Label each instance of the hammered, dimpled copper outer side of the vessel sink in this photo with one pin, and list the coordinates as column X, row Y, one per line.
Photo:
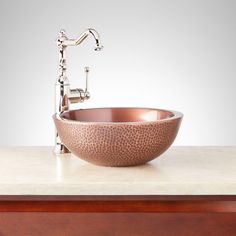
column 117, row 144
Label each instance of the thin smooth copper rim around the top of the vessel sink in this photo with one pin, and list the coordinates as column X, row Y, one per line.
column 176, row 115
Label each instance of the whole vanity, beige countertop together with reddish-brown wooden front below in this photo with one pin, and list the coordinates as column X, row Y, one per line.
column 186, row 191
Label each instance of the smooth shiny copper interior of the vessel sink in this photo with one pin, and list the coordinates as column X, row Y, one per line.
column 116, row 115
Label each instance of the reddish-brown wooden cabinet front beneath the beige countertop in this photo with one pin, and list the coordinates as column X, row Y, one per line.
column 118, row 215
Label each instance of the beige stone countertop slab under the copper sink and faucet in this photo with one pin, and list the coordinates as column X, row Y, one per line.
column 179, row 171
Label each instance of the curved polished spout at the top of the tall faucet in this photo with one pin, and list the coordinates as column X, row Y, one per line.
column 82, row 37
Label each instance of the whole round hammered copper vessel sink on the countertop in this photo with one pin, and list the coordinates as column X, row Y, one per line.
column 118, row 136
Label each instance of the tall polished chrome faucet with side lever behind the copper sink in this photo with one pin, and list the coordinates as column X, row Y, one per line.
column 64, row 95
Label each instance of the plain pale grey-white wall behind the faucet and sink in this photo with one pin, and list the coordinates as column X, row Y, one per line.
column 178, row 55
